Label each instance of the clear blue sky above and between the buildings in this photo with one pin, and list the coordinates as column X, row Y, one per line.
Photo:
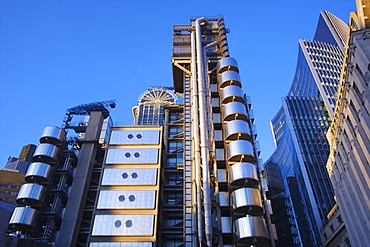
column 58, row 54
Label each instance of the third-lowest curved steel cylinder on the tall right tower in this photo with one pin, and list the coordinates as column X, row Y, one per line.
column 243, row 175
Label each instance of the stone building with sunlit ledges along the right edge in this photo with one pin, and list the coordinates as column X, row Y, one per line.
column 348, row 163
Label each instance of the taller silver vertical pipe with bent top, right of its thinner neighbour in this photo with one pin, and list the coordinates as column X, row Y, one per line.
column 203, row 131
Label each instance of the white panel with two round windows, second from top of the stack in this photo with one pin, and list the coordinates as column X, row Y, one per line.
column 127, row 156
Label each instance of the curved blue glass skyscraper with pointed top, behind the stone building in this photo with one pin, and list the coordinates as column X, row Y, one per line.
column 299, row 186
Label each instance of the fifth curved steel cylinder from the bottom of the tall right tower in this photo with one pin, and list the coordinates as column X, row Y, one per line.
column 237, row 130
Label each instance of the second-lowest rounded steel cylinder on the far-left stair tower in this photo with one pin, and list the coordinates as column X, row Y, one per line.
column 31, row 194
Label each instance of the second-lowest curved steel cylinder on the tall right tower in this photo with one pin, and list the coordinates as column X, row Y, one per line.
column 247, row 201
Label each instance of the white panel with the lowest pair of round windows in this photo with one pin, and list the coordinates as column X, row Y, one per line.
column 105, row 225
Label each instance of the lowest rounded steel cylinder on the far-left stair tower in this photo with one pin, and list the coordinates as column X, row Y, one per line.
column 23, row 219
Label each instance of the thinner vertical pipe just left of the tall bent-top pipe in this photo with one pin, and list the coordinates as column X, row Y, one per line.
column 196, row 142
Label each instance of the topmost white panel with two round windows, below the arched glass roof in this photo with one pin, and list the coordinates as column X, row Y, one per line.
column 134, row 137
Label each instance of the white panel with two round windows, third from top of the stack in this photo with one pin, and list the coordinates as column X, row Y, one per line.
column 114, row 176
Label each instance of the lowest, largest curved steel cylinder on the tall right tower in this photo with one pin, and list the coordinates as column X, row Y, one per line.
column 251, row 230
